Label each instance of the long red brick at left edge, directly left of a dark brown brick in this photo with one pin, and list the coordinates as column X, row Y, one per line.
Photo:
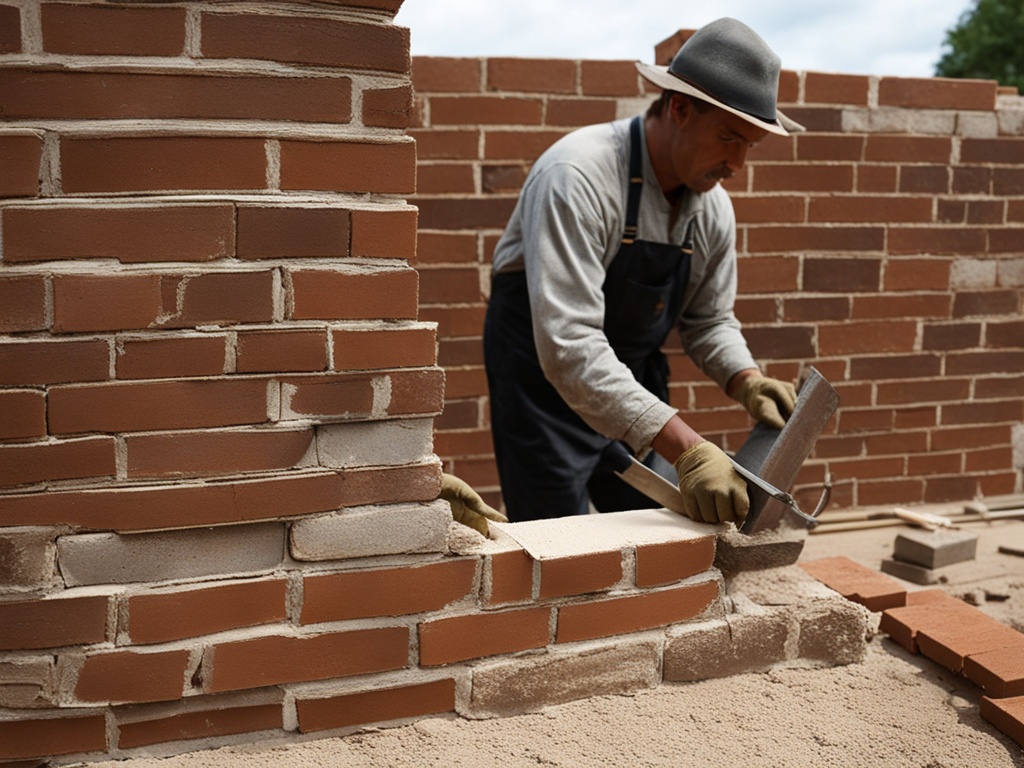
column 130, row 235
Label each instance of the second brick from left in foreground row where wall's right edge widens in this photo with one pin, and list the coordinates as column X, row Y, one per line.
column 172, row 358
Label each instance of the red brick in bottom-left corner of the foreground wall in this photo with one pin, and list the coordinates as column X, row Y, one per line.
column 32, row 738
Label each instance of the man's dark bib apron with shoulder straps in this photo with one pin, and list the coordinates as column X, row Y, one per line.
column 550, row 462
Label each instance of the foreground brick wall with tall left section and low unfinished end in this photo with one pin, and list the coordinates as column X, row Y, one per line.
column 218, row 481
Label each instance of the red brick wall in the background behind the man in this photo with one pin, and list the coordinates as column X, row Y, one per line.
column 885, row 246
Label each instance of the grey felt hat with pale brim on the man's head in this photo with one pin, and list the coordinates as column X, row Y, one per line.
column 727, row 64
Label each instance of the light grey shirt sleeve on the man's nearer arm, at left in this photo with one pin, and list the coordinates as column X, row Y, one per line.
column 568, row 228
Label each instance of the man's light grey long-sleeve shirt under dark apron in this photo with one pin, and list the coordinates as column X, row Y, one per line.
column 565, row 232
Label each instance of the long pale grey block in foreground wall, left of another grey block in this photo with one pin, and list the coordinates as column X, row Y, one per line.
column 127, row 559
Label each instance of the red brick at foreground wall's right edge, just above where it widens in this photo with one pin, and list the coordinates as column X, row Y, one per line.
column 389, row 294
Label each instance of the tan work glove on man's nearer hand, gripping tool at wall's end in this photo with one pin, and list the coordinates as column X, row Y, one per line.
column 713, row 491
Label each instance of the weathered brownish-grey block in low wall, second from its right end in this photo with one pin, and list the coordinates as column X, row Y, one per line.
column 722, row 649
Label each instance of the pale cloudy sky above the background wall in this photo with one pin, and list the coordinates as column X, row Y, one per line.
column 859, row 37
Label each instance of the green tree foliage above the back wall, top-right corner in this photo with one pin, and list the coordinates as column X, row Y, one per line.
column 988, row 44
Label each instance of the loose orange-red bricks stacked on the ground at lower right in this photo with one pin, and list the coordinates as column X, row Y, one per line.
column 945, row 629
